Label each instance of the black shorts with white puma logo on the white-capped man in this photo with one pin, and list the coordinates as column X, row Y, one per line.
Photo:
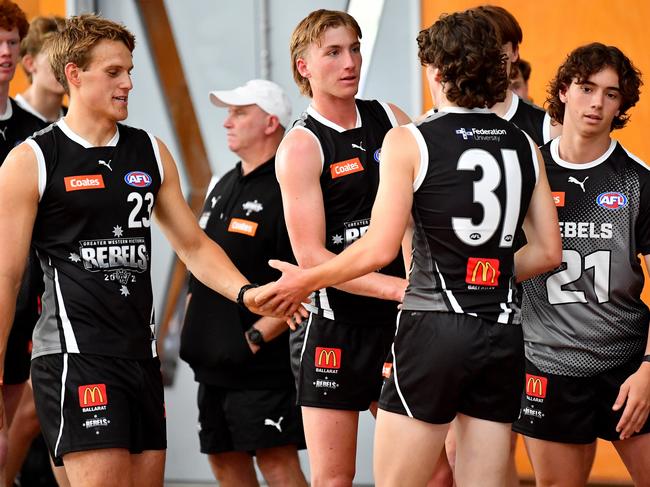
column 247, row 420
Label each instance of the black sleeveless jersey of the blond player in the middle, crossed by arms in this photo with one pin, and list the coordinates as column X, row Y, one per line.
column 349, row 182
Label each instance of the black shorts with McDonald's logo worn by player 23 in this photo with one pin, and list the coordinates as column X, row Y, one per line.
column 89, row 402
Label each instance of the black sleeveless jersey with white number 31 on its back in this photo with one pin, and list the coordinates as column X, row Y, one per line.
column 476, row 177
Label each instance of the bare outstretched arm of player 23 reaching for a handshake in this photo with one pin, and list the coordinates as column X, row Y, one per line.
column 203, row 257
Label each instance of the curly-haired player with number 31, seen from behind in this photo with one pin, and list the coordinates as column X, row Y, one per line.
column 470, row 180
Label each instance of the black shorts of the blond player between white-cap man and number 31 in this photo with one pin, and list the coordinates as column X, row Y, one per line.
column 337, row 365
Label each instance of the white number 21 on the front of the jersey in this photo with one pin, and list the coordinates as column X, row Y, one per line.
column 599, row 261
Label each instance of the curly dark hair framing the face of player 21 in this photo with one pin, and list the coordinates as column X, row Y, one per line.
column 590, row 59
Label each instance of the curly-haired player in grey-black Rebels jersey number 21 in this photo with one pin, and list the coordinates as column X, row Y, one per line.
column 585, row 326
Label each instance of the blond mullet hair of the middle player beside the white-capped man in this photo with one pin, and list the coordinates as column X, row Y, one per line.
column 310, row 30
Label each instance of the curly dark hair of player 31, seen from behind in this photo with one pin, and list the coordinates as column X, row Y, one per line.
column 466, row 49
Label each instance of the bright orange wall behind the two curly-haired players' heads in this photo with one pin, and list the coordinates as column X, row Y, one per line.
column 553, row 28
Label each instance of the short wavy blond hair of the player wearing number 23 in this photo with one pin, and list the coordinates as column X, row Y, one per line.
column 75, row 41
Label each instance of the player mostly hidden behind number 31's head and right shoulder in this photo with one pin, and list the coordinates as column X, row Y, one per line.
column 528, row 117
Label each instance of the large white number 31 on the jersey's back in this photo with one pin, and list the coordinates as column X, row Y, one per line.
column 483, row 190
